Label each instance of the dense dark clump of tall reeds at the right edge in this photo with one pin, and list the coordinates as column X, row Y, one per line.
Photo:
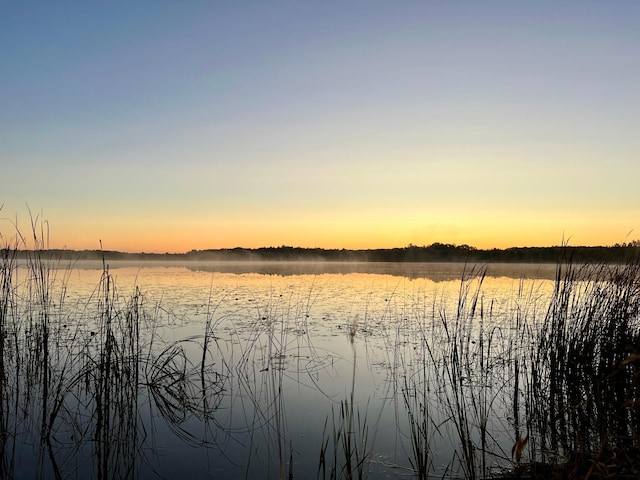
column 583, row 389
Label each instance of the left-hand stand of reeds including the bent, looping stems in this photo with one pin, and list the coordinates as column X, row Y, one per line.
column 74, row 378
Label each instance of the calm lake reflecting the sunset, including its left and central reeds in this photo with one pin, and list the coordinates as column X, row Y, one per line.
column 265, row 370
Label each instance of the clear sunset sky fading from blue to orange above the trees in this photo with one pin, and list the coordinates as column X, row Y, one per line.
column 163, row 126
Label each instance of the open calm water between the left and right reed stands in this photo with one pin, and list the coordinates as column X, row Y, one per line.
column 287, row 346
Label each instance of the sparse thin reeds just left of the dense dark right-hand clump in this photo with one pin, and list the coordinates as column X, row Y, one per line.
column 475, row 376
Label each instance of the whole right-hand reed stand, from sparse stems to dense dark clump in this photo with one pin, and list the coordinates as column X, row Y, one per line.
column 571, row 379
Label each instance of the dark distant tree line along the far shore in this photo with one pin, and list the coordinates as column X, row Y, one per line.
column 436, row 252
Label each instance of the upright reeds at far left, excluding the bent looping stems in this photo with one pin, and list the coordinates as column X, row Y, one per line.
column 73, row 384
